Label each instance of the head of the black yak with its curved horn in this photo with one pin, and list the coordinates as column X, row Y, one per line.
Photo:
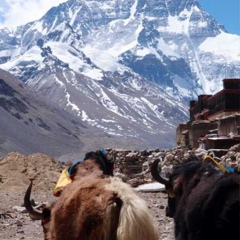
column 176, row 182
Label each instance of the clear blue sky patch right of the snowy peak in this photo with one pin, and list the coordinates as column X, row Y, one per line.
column 227, row 12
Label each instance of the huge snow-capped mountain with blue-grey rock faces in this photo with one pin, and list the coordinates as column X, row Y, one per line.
column 127, row 67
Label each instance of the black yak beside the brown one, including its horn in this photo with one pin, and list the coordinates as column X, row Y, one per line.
column 202, row 200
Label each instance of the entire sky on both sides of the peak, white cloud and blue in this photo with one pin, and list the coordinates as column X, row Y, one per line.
column 18, row 12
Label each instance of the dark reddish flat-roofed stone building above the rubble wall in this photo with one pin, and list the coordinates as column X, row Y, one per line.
column 214, row 119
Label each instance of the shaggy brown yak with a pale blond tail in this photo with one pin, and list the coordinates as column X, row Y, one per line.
column 95, row 206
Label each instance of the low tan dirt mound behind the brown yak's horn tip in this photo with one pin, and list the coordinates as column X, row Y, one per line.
column 16, row 170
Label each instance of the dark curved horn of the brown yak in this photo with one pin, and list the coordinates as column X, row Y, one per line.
column 34, row 214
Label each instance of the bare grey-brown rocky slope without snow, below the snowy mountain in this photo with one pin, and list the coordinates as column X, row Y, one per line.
column 30, row 124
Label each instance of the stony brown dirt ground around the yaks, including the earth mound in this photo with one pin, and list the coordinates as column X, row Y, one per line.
column 15, row 172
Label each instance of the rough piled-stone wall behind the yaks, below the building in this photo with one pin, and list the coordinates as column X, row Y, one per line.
column 134, row 166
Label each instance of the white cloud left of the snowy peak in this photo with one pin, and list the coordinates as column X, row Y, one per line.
column 18, row 12
